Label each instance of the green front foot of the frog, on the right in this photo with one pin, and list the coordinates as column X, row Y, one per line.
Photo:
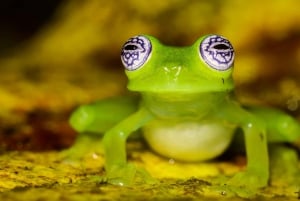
column 249, row 179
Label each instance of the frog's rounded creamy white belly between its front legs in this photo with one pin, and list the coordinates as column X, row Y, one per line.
column 188, row 141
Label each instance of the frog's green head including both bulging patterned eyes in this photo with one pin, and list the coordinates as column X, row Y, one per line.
column 205, row 66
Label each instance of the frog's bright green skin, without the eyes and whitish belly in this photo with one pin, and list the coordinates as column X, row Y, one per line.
column 178, row 87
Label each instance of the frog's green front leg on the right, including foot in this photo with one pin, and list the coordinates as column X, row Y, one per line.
column 256, row 174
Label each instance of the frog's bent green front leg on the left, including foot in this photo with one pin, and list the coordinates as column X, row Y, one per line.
column 118, row 171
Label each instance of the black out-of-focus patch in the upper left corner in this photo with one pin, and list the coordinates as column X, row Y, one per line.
column 20, row 20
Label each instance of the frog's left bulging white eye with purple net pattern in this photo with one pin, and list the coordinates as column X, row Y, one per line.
column 135, row 52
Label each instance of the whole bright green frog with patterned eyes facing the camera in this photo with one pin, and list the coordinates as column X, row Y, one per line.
column 186, row 110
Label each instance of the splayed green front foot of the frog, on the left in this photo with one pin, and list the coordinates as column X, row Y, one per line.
column 127, row 175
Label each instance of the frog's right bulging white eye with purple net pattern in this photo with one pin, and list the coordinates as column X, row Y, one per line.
column 217, row 52
